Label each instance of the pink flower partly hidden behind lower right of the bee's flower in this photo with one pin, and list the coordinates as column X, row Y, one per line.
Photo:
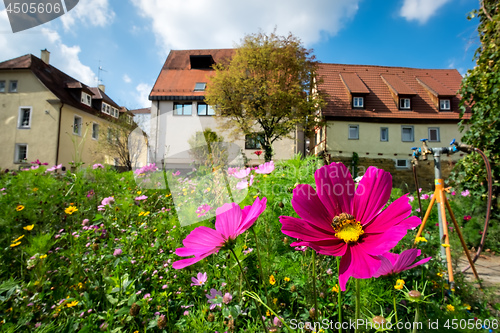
column 392, row 263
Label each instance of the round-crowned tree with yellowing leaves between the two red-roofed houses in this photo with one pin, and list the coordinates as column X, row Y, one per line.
column 268, row 86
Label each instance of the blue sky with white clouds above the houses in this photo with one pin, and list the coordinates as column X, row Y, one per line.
column 130, row 39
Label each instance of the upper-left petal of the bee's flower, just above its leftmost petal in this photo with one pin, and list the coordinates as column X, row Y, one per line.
column 307, row 205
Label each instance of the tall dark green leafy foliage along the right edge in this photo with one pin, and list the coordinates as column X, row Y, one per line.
column 480, row 93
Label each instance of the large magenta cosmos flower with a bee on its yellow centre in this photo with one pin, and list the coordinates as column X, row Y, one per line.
column 340, row 220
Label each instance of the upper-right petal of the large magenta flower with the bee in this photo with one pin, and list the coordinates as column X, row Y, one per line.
column 372, row 193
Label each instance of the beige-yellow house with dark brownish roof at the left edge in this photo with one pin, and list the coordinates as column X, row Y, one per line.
column 49, row 116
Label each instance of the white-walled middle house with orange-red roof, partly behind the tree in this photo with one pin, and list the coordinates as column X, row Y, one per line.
column 178, row 109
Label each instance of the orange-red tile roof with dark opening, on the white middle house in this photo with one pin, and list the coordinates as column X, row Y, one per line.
column 177, row 79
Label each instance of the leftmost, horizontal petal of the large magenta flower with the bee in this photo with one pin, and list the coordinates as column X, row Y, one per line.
column 304, row 230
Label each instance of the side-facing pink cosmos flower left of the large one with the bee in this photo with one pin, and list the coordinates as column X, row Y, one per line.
column 230, row 222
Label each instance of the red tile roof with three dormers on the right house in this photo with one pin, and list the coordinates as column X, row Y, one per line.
column 379, row 103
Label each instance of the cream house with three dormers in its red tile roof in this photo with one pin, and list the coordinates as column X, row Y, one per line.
column 379, row 113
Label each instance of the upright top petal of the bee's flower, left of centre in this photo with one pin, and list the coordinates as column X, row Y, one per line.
column 335, row 188
